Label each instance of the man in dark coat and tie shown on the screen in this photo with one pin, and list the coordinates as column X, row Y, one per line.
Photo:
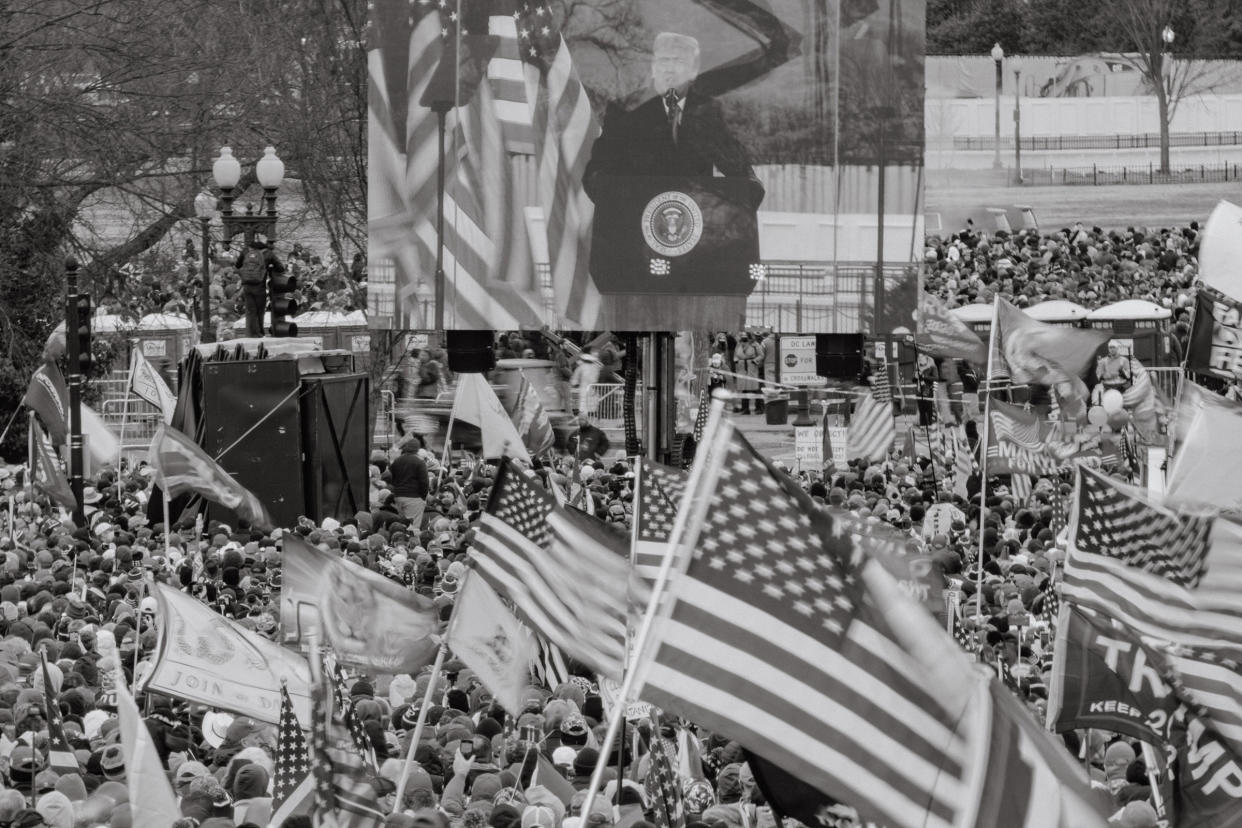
column 675, row 133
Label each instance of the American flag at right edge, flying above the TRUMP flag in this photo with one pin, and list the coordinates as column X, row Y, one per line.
column 1199, row 628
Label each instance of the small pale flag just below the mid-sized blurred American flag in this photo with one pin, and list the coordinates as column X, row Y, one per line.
column 486, row 637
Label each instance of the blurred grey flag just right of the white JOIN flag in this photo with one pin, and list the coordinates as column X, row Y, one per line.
column 369, row 621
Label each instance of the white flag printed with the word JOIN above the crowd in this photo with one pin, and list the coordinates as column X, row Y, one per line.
column 204, row 657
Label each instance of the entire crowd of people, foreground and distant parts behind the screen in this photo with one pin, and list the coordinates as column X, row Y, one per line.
column 78, row 594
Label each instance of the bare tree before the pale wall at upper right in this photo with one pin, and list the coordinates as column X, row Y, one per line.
column 1161, row 29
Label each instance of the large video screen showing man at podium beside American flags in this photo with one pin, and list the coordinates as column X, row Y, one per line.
column 645, row 164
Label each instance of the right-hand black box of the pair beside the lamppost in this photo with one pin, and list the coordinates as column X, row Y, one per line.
column 335, row 416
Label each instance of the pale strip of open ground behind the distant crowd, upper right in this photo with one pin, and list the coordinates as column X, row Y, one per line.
column 1106, row 207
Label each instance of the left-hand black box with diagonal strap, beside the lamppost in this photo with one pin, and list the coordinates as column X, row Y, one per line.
column 261, row 395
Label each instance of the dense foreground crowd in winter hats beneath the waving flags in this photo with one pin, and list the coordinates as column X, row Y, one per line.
column 76, row 594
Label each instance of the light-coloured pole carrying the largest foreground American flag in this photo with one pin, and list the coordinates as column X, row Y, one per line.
column 676, row 539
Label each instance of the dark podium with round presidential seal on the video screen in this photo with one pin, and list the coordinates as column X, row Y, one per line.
column 674, row 253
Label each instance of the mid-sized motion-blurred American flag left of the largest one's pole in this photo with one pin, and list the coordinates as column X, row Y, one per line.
column 567, row 575
